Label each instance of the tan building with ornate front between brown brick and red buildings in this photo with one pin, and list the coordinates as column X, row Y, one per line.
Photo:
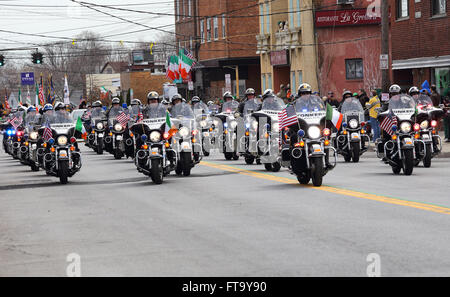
column 285, row 43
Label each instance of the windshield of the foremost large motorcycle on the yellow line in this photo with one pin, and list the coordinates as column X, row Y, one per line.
column 310, row 108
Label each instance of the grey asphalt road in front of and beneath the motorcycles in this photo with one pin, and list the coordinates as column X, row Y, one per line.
column 226, row 219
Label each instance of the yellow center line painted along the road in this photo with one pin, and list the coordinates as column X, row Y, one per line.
column 344, row 192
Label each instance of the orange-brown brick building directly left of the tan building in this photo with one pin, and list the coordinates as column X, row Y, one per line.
column 221, row 35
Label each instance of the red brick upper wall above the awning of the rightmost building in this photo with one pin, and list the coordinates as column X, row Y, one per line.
column 419, row 37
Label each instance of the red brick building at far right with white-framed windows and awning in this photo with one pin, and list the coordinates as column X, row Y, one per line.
column 420, row 46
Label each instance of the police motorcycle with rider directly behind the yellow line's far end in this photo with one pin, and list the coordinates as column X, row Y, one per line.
column 204, row 123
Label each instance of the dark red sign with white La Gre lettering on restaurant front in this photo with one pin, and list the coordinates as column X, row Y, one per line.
column 347, row 17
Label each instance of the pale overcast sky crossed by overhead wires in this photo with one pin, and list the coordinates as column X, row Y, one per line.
column 65, row 19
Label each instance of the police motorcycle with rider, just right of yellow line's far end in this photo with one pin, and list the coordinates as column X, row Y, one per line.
column 226, row 124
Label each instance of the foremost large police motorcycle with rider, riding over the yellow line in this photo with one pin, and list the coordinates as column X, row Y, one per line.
column 306, row 145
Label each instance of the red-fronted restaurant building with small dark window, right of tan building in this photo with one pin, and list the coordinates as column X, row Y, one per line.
column 348, row 46
